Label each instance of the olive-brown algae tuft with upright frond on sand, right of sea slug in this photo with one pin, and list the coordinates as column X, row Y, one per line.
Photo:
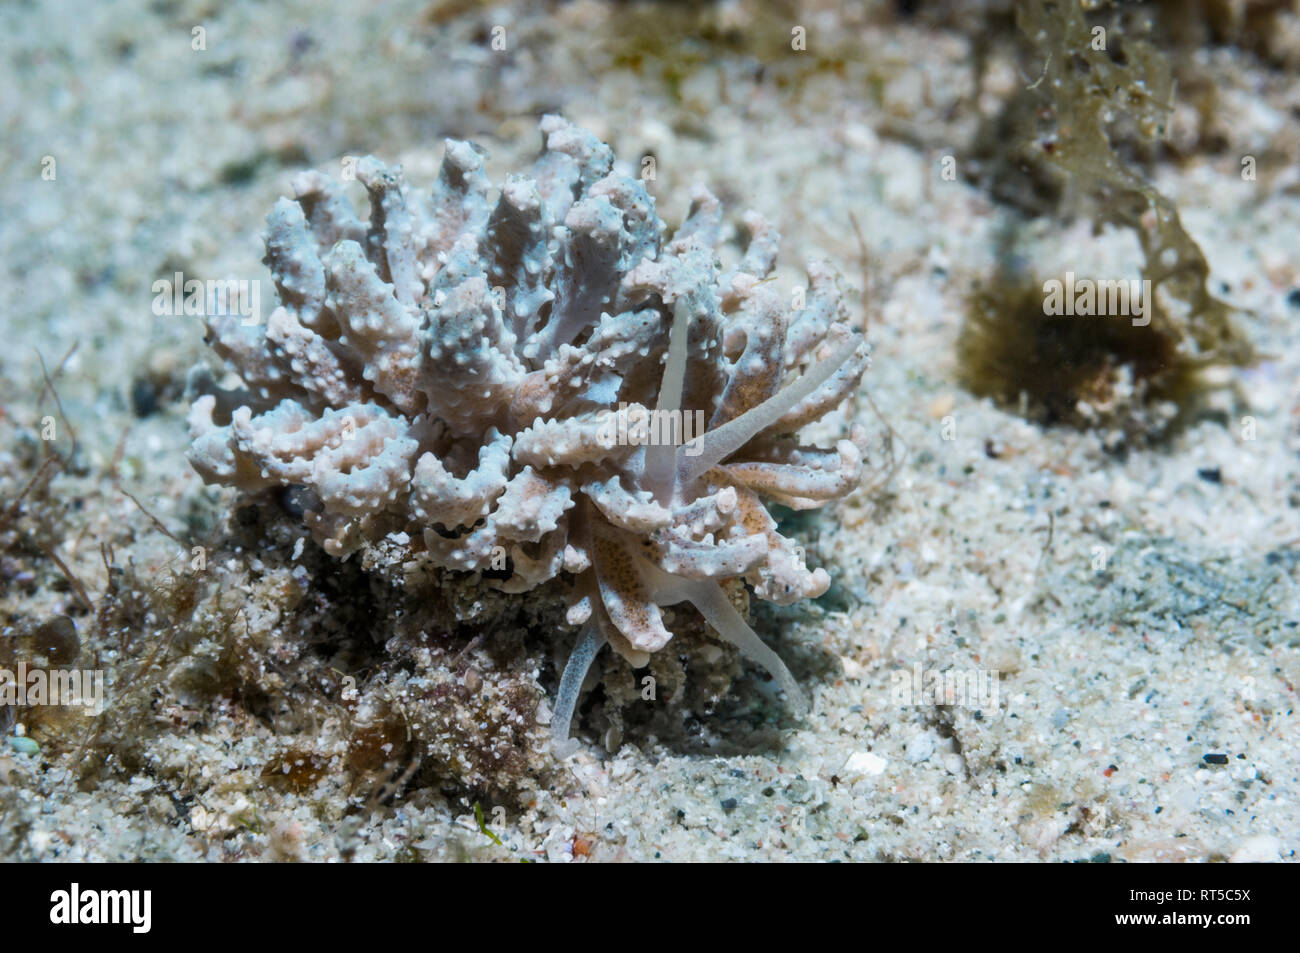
column 1072, row 142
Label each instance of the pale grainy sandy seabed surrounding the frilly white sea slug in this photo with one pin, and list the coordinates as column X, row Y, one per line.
column 1128, row 618
